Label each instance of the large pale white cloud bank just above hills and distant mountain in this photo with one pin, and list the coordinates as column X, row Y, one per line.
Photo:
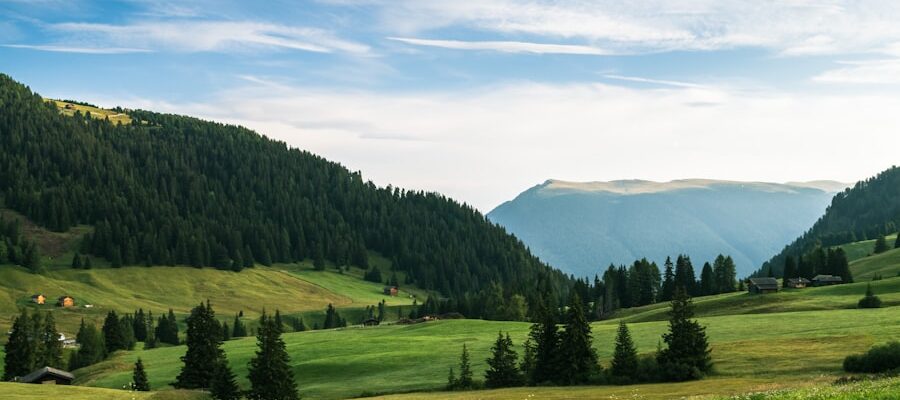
column 485, row 145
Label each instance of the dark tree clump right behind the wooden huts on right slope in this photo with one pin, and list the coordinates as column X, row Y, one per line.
column 820, row 261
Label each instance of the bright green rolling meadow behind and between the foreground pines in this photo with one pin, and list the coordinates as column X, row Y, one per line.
column 748, row 350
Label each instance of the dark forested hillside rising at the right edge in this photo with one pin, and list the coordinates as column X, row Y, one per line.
column 868, row 210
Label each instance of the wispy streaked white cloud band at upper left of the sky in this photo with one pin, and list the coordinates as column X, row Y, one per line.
column 199, row 36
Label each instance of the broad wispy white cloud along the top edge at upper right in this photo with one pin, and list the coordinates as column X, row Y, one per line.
column 801, row 27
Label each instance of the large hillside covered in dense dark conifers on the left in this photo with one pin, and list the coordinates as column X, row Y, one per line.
column 174, row 190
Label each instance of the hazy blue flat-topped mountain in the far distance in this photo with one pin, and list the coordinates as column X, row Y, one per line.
column 583, row 227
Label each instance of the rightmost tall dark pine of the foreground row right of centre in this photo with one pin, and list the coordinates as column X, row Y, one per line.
column 687, row 354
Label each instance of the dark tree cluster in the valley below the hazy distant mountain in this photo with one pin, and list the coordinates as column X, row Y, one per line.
column 641, row 284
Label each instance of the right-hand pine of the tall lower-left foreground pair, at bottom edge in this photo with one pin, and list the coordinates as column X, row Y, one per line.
column 270, row 375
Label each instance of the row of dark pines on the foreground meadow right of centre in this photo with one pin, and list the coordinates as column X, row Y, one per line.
column 566, row 357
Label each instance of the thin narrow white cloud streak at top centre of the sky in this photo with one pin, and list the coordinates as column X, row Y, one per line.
column 506, row 46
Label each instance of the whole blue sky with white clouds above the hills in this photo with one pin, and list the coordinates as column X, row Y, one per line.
column 481, row 100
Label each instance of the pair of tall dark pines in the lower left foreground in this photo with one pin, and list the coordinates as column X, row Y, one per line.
column 206, row 366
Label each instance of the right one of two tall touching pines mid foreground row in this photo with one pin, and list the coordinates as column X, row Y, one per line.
column 578, row 359
